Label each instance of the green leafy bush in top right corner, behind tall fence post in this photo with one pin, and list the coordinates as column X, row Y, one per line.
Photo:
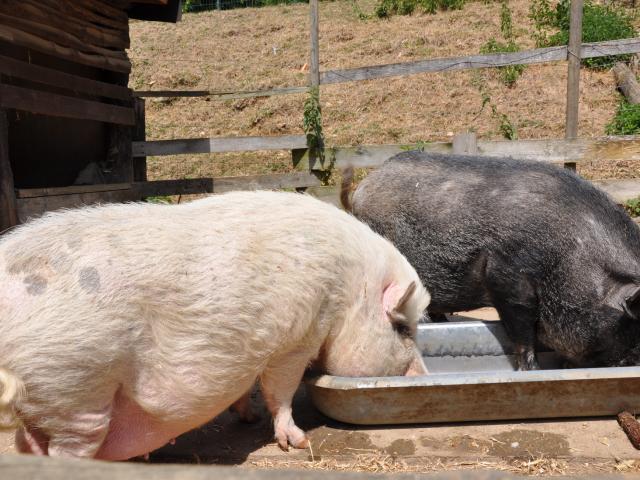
column 599, row 23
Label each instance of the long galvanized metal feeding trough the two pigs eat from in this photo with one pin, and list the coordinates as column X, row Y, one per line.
column 472, row 377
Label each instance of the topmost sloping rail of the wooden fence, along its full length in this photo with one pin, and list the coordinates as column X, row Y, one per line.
column 494, row 60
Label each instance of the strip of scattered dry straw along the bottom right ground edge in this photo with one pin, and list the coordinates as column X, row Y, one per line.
column 387, row 464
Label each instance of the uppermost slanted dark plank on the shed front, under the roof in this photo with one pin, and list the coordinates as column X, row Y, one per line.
column 87, row 31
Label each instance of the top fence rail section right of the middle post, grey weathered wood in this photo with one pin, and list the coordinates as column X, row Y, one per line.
column 540, row 55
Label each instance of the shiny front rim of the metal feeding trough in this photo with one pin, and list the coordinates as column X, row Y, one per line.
column 446, row 379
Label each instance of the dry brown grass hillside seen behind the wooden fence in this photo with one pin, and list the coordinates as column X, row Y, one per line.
column 267, row 47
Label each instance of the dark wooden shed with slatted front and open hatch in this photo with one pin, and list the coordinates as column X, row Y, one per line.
column 67, row 117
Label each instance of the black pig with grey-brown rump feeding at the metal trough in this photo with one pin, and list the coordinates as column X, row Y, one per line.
column 554, row 255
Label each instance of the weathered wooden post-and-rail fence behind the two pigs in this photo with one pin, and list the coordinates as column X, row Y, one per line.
column 307, row 168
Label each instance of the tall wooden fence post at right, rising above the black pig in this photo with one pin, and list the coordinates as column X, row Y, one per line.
column 573, row 77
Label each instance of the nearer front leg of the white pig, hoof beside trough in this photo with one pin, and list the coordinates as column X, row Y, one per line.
column 280, row 380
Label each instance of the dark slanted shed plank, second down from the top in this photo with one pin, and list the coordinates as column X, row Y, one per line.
column 28, row 40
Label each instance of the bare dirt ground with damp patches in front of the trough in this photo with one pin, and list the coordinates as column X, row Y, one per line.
column 575, row 447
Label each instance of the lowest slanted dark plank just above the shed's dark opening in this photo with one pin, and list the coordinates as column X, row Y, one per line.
column 62, row 106
